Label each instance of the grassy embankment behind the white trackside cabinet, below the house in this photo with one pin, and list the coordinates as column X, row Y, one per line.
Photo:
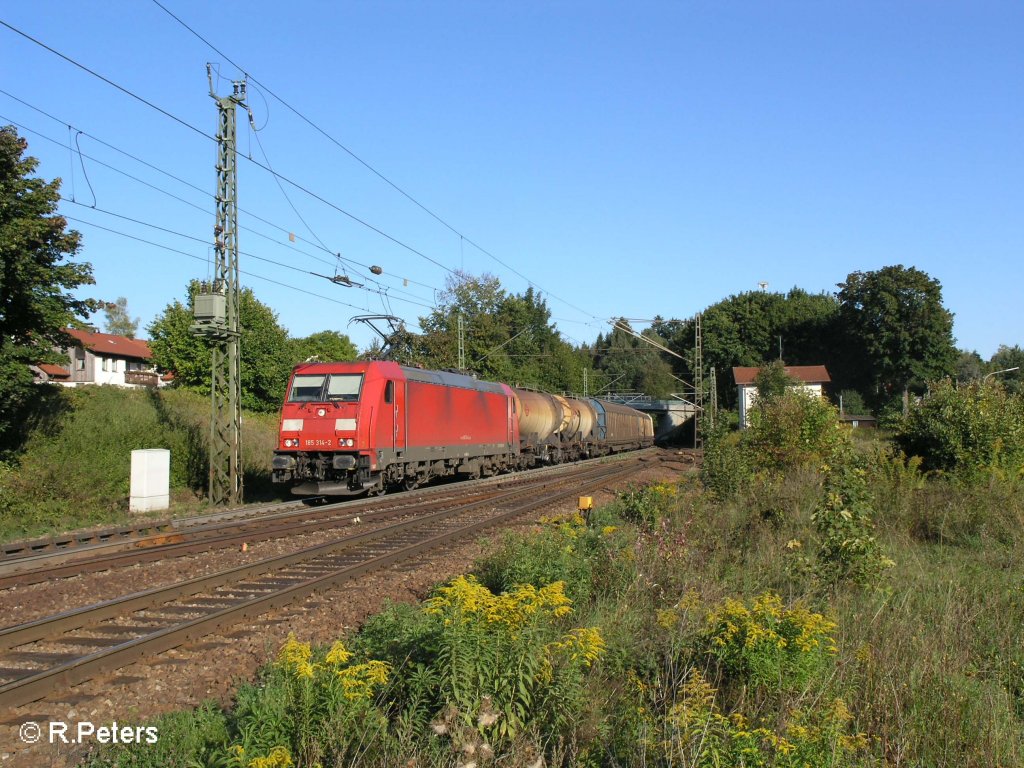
column 75, row 467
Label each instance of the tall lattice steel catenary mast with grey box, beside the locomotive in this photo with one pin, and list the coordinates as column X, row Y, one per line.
column 217, row 311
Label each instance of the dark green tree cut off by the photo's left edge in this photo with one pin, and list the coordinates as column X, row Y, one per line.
column 36, row 274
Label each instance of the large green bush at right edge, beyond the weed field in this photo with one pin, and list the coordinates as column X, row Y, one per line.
column 972, row 432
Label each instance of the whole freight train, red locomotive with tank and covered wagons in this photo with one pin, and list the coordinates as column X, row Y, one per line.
column 351, row 429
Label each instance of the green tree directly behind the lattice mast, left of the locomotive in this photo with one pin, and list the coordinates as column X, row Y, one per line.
column 267, row 359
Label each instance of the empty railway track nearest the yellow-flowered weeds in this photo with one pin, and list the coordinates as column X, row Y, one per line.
column 52, row 655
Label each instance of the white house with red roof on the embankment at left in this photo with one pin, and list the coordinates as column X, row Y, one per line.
column 103, row 359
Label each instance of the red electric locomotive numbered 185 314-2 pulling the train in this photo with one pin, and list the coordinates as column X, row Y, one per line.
column 356, row 428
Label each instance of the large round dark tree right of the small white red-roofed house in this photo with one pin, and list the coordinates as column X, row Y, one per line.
column 895, row 318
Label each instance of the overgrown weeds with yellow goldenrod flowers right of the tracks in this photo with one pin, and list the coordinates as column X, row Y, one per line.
column 823, row 604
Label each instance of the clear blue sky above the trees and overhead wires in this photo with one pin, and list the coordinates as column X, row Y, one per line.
column 628, row 159
